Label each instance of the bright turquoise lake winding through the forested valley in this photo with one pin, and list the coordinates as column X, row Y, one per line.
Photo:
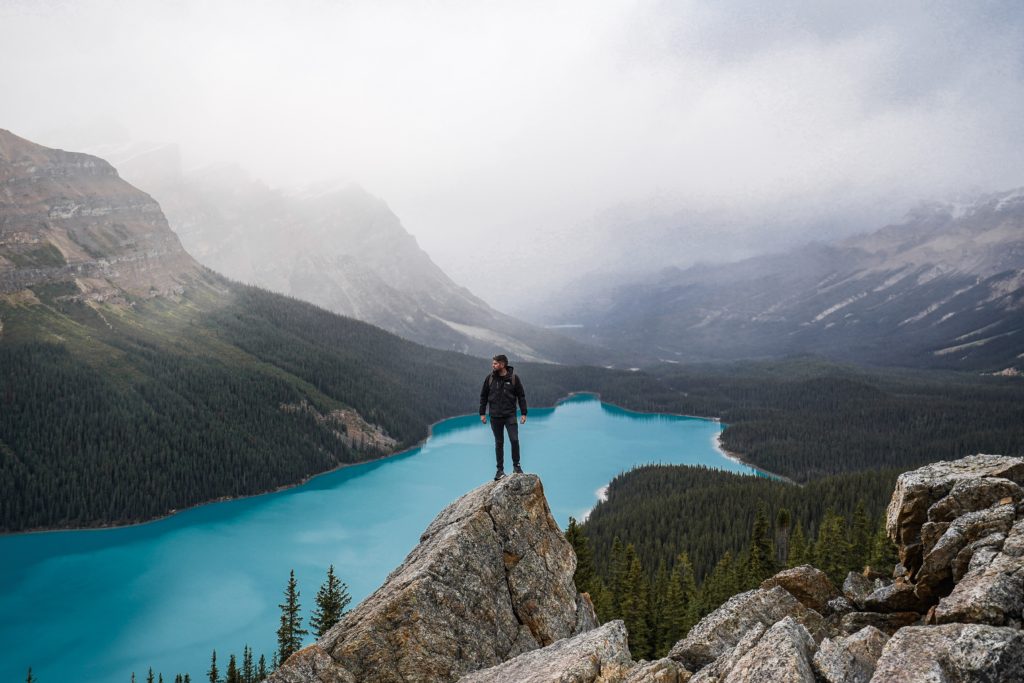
column 94, row 607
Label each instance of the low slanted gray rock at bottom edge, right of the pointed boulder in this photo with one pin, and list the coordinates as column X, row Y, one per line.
column 602, row 656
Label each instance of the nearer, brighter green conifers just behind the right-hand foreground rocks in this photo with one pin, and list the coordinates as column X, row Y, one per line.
column 661, row 603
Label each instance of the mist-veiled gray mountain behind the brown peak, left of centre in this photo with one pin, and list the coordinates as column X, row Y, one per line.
column 337, row 247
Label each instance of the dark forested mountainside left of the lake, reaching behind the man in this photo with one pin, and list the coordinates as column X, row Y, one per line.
column 116, row 414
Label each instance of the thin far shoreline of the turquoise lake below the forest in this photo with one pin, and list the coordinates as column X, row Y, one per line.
column 431, row 431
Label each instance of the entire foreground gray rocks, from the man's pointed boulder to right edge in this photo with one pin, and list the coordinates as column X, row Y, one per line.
column 488, row 596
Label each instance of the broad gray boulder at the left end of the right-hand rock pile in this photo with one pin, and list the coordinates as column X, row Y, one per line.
column 720, row 631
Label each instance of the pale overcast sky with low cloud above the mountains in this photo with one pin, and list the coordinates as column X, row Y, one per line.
column 547, row 129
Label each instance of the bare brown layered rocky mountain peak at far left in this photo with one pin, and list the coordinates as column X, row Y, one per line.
column 69, row 218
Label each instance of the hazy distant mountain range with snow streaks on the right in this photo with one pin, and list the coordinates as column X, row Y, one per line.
column 946, row 288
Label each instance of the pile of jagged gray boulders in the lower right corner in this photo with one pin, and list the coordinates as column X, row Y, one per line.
column 954, row 609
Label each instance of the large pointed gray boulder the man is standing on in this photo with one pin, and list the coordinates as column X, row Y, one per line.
column 491, row 579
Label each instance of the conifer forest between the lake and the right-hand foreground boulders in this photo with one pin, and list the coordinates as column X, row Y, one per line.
column 673, row 543
